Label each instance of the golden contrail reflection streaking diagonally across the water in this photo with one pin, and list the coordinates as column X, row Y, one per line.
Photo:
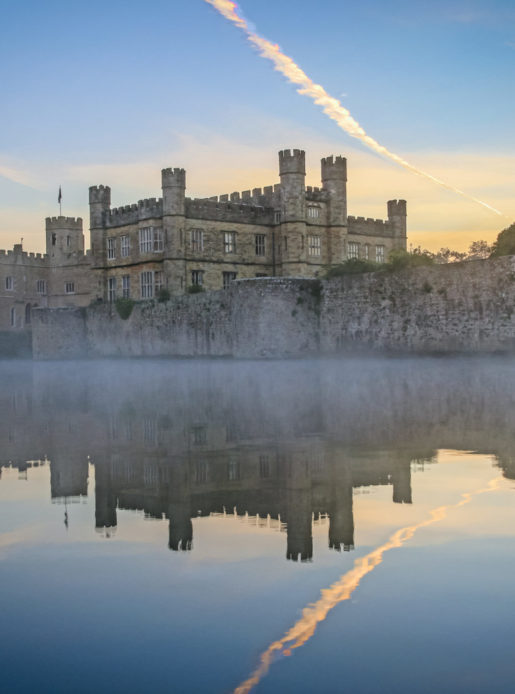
column 342, row 590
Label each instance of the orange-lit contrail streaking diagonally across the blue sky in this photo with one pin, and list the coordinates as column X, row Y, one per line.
column 331, row 106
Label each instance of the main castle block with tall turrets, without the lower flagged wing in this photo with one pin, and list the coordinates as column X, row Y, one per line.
column 287, row 229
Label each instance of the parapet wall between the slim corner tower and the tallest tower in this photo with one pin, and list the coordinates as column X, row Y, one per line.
column 228, row 211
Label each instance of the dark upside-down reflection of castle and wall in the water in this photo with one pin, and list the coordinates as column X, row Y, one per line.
column 285, row 442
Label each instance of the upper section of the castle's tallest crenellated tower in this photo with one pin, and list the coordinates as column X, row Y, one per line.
column 292, row 170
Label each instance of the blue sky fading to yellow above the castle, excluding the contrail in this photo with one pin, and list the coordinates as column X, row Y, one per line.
column 111, row 93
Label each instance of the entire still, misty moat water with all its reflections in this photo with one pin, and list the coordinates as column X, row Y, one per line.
column 322, row 526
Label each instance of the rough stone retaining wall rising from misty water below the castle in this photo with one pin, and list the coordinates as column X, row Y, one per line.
column 466, row 307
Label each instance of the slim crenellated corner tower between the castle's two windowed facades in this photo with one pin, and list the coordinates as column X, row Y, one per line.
column 173, row 183
